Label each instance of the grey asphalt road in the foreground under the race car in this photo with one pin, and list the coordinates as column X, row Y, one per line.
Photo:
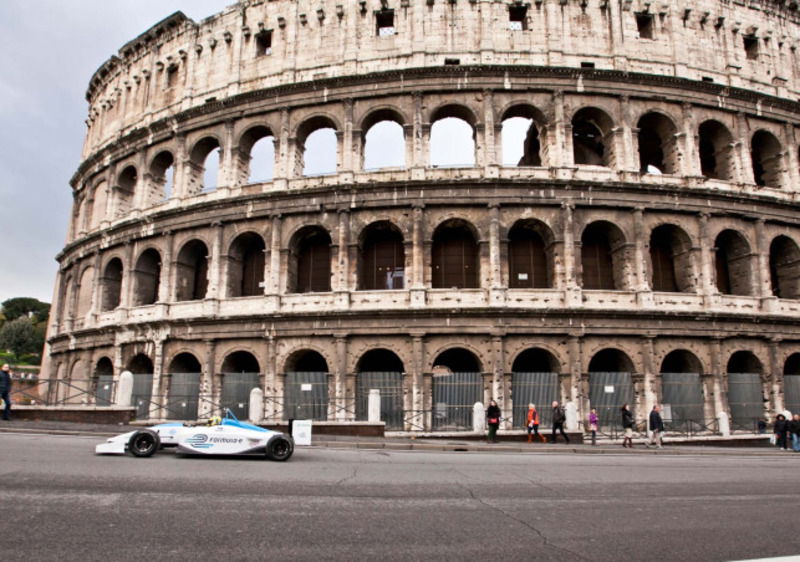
column 58, row 501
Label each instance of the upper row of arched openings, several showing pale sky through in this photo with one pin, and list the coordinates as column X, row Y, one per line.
column 524, row 133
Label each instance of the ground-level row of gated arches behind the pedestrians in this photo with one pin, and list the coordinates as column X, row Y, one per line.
column 457, row 383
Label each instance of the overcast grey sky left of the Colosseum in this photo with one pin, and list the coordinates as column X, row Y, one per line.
column 49, row 50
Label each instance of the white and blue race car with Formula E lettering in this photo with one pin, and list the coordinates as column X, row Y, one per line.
column 220, row 436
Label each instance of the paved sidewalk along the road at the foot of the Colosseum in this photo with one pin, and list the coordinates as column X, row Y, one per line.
column 410, row 443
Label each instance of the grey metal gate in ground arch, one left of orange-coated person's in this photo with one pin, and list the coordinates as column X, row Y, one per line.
column 454, row 395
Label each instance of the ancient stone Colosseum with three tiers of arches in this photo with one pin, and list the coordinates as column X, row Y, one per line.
column 450, row 201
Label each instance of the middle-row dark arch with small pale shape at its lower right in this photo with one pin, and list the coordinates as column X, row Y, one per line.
column 382, row 258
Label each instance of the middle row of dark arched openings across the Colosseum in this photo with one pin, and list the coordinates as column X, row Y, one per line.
column 605, row 262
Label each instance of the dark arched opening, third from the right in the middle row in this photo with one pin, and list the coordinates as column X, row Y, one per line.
column 671, row 260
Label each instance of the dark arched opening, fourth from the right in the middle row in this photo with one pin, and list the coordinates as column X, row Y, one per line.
column 603, row 257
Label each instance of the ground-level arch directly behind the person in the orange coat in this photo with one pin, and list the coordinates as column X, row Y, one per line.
column 534, row 380
